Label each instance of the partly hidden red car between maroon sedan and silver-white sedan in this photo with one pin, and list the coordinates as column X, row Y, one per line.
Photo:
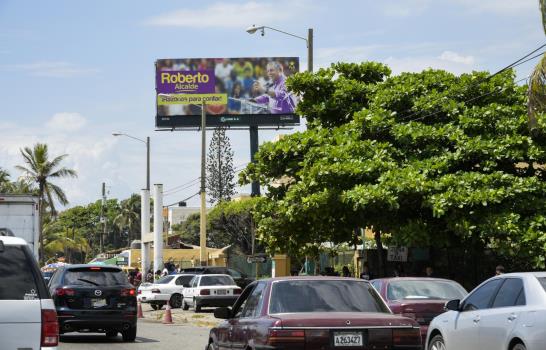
column 420, row 298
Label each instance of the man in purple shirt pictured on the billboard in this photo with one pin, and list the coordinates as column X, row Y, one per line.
column 274, row 94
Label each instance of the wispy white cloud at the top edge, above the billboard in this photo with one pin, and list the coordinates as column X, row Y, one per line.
column 226, row 15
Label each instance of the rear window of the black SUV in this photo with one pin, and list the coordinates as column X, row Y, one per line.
column 95, row 276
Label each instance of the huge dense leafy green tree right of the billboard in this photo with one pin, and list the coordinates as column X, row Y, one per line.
column 432, row 158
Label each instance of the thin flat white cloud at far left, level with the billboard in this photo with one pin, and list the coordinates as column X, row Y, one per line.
column 52, row 69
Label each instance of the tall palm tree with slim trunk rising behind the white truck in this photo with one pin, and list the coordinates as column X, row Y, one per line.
column 40, row 169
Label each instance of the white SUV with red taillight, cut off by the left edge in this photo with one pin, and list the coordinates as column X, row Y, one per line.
column 27, row 318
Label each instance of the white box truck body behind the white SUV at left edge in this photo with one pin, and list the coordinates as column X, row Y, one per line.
column 20, row 215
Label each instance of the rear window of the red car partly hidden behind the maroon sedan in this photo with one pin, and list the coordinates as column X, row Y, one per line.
column 425, row 289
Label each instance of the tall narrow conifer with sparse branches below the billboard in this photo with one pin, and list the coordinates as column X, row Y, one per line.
column 220, row 173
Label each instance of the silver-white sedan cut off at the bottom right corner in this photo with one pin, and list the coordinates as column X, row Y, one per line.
column 506, row 312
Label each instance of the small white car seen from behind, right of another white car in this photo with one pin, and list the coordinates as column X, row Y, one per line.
column 210, row 290
